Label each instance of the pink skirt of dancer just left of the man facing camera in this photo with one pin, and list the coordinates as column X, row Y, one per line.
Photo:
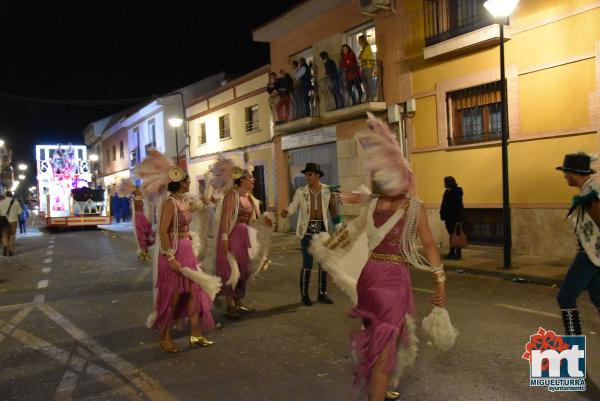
column 239, row 244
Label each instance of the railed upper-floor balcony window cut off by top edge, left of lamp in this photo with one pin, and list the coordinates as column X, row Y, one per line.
column 446, row 19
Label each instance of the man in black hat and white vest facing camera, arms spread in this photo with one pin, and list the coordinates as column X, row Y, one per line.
column 312, row 201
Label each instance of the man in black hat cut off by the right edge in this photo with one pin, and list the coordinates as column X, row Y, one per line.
column 585, row 215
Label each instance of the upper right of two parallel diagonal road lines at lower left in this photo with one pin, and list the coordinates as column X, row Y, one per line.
column 150, row 387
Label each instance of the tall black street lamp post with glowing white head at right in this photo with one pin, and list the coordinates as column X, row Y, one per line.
column 501, row 10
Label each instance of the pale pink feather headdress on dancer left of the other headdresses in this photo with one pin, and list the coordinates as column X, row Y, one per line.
column 157, row 170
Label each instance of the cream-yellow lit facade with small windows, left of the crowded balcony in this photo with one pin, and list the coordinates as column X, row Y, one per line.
column 234, row 120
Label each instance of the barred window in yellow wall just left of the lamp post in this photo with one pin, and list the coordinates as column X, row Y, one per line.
column 475, row 115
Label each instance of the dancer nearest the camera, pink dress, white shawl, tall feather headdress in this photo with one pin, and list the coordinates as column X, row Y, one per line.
column 369, row 259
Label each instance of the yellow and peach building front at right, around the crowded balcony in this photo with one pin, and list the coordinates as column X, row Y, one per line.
column 440, row 64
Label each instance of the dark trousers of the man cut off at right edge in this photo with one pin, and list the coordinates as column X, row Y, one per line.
column 582, row 274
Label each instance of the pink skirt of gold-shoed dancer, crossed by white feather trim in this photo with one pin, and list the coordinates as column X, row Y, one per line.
column 170, row 283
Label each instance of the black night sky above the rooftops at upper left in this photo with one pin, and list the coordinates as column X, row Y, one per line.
column 112, row 50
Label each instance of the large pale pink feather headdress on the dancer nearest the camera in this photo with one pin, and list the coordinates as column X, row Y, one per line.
column 384, row 159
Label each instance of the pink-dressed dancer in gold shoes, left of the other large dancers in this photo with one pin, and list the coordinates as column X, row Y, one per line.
column 183, row 293
